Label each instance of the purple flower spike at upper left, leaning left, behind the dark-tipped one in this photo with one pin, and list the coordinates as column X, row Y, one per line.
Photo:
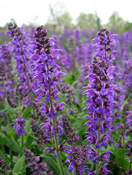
column 20, row 47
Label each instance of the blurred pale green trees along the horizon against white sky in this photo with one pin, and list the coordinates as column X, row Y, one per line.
column 60, row 18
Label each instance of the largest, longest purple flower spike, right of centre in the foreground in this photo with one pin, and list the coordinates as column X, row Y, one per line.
column 100, row 92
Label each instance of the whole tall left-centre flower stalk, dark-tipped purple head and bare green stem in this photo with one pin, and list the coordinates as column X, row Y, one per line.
column 46, row 75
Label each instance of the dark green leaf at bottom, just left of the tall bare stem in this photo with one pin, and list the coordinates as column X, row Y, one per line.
column 51, row 164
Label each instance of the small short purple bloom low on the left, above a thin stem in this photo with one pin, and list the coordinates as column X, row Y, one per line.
column 19, row 126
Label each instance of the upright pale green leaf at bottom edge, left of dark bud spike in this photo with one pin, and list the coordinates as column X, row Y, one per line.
column 20, row 167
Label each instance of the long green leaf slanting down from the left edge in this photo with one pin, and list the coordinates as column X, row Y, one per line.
column 10, row 143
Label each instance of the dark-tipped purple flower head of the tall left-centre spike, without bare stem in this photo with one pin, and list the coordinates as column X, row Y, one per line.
column 45, row 72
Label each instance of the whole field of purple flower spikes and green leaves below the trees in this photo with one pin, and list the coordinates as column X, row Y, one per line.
column 65, row 102
